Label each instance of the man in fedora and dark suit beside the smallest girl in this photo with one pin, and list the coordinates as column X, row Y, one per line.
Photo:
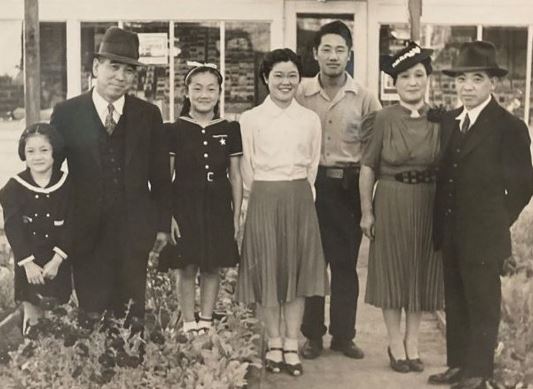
column 118, row 162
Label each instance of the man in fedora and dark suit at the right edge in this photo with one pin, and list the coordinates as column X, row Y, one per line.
column 485, row 181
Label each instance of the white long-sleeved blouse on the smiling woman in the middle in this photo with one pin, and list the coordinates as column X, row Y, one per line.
column 280, row 144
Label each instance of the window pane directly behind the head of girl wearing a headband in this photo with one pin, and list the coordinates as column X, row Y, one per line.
column 198, row 42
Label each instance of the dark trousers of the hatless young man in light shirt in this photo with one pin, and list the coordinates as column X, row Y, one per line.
column 339, row 214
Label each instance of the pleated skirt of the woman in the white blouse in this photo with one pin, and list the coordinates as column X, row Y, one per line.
column 282, row 255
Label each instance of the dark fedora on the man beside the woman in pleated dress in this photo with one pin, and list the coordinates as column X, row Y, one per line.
column 474, row 56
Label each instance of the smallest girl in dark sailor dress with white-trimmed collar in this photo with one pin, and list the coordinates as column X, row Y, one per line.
column 35, row 204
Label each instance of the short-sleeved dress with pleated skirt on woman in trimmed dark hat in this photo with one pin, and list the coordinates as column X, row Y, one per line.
column 404, row 270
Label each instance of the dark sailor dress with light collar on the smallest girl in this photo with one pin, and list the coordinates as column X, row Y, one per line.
column 36, row 226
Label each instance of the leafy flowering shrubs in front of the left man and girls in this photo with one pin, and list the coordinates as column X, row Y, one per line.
column 111, row 354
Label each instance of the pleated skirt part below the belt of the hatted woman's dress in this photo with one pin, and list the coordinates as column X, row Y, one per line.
column 404, row 270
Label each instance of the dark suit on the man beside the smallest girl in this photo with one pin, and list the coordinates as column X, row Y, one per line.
column 144, row 197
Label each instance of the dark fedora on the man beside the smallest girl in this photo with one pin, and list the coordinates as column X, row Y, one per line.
column 121, row 46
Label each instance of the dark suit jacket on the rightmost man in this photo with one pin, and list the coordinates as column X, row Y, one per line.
column 493, row 183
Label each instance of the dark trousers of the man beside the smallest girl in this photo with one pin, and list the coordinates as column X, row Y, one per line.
column 111, row 275
